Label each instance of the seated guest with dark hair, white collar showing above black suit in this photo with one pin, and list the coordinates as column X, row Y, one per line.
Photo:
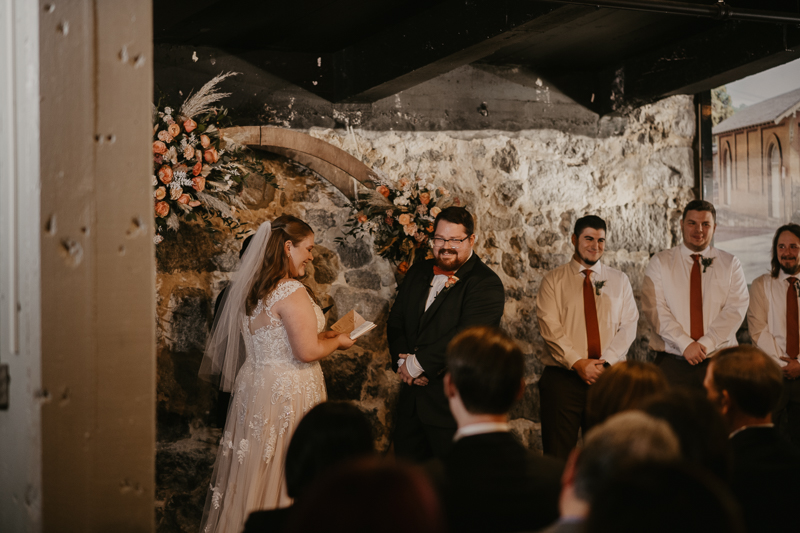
column 492, row 482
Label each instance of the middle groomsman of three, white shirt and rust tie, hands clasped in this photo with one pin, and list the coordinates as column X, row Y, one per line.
column 695, row 298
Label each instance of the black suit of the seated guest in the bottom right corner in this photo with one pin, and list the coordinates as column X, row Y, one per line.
column 766, row 472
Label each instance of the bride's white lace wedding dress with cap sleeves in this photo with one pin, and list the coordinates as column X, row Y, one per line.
column 272, row 391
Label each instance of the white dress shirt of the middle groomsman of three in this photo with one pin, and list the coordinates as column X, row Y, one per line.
column 665, row 299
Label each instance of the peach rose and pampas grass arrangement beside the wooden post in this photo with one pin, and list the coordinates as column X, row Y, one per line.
column 196, row 173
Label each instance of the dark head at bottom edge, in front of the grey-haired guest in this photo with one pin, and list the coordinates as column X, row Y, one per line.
column 663, row 498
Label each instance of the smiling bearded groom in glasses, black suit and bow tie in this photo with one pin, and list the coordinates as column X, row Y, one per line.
column 438, row 299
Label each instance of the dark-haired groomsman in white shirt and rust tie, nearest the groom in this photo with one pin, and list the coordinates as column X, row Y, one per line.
column 587, row 316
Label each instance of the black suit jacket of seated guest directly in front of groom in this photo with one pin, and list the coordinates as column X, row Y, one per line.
column 493, row 484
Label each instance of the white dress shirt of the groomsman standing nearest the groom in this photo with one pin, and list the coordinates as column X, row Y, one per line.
column 559, row 309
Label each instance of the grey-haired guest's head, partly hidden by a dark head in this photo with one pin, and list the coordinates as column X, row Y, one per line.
column 622, row 441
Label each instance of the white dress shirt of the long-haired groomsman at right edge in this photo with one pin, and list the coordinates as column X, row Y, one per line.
column 766, row 316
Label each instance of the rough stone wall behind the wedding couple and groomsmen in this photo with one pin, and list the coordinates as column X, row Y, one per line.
column 525, row 188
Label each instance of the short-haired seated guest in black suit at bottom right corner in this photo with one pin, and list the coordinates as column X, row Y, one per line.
column 745, row 384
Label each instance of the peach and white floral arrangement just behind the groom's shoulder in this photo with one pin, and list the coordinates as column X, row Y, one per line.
column 400, row 217
